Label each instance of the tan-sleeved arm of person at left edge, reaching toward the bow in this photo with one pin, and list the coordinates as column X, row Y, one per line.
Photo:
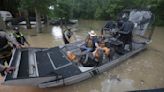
column 10, row 38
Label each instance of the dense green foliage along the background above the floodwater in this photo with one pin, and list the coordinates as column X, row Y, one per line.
column 92, row 9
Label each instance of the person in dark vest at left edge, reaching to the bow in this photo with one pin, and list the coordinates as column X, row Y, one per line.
column 6, row 50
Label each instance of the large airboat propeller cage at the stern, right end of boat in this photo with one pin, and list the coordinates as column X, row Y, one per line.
column 140, row 18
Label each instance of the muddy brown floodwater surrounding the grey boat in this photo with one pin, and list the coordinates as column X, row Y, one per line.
column 142, row 71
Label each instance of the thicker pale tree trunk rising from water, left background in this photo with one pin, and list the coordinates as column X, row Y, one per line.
column 38, row 21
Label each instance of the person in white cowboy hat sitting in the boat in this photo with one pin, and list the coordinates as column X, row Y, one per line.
column 90, row 42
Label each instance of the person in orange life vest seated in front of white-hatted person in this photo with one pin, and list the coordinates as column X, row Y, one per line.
column 99, row 56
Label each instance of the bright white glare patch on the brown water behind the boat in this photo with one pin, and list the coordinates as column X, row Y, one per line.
column 57, row 32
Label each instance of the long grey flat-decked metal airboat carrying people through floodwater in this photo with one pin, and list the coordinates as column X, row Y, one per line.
column 50, row 67
